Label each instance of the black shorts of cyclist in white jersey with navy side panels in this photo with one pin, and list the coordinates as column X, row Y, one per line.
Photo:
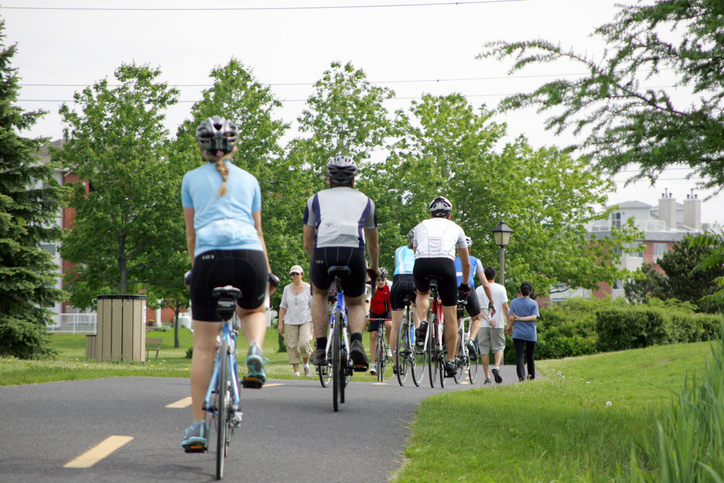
column 354, row 258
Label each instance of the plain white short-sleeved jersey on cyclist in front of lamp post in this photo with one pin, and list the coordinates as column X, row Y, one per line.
column 438, row 238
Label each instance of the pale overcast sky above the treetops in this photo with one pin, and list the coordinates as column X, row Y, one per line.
column 412, row 47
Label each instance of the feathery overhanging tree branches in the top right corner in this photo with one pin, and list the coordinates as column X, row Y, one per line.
column 622, row 121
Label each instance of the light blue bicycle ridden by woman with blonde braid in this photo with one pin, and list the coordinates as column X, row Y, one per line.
column 222, row 403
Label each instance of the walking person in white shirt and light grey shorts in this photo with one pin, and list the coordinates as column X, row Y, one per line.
column 492, row 329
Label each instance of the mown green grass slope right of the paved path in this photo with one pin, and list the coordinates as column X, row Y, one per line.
column 559, row 429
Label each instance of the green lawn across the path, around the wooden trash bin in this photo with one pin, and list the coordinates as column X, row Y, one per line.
column 71, row 364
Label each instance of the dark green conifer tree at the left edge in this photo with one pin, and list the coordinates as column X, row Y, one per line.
column 29, row 203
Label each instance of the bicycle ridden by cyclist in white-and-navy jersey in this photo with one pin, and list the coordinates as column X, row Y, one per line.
column 338, row 344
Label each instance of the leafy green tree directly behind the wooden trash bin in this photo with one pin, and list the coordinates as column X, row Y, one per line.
column 126, row 204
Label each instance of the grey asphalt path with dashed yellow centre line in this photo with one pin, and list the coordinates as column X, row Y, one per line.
column 289, row 432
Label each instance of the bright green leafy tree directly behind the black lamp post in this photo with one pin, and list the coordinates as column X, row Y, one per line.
column 545, row 196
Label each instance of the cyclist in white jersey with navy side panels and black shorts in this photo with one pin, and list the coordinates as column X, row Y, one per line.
column 337, row 221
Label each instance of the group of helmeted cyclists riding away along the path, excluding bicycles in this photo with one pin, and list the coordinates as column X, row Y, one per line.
column 222, row 211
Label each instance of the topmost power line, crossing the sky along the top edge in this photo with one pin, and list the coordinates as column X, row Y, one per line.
column 247, row 9
